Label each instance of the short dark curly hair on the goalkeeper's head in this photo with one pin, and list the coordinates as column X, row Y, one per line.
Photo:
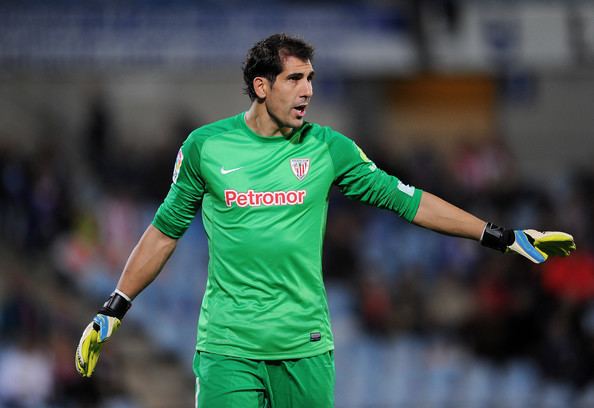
column 265, row 58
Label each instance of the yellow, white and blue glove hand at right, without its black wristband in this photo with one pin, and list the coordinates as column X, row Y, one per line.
column 538, row 246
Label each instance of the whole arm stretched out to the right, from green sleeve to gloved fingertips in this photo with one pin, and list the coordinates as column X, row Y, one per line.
column 360, row 179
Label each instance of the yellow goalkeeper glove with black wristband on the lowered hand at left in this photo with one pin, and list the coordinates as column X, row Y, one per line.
column 104, row 324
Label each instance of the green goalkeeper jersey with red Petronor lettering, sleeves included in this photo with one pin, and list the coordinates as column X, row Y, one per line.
column 264, row 202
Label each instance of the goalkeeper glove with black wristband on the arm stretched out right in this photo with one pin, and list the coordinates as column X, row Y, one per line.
column 534, row 245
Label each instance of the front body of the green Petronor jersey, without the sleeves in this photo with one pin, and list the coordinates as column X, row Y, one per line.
column 264, row 211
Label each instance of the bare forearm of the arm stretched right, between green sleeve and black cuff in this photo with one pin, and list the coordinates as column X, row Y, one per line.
column 441, row 216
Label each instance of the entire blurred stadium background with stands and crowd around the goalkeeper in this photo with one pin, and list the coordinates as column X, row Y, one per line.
column 487, row 103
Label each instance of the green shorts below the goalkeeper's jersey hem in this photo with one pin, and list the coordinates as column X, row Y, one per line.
column 230, row 382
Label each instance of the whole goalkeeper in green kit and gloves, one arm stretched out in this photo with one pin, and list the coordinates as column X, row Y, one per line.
column 262, row 180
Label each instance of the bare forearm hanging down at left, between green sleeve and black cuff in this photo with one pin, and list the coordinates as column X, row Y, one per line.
column 146, row 261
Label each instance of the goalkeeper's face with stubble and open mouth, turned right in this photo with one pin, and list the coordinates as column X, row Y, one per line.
column 287, row 99
